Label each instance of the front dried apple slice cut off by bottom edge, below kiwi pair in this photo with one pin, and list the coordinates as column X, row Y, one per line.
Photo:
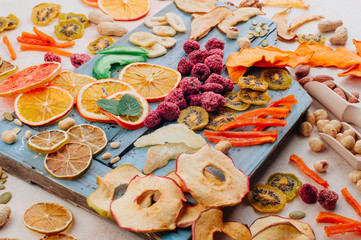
column 283, row 230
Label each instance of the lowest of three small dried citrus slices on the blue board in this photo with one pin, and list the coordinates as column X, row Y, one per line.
column 69, row 162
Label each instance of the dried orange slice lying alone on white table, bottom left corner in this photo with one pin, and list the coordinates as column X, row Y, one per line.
column 47, row 218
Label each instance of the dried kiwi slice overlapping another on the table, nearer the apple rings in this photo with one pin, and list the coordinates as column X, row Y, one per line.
column 266, row 199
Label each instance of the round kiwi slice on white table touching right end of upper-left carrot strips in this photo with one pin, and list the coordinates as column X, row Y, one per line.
column 69, row 30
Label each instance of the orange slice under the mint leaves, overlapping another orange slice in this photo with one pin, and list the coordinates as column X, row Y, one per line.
column 129, row 122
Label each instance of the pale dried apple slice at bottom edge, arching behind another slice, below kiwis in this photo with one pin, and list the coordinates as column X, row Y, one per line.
column 264, row 222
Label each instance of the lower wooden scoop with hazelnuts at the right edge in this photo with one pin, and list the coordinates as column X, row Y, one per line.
column 341, row 150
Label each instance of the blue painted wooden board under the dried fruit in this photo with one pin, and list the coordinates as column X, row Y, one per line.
column 29, row 165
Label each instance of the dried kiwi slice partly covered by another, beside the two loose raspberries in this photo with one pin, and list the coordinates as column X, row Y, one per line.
column 288, row 183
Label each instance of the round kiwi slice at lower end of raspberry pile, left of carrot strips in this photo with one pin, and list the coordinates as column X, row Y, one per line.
column 194, row 117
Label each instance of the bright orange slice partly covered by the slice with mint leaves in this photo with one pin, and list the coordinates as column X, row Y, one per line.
column 91, row 92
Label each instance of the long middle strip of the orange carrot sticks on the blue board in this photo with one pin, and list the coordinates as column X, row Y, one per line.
column 250, row 122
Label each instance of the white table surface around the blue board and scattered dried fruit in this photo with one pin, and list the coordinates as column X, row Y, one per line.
column 90, row 226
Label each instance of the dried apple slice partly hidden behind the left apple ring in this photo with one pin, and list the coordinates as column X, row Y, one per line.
column 101, row 198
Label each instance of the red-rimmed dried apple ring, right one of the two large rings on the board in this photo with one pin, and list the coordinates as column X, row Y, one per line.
column 191, row 167
